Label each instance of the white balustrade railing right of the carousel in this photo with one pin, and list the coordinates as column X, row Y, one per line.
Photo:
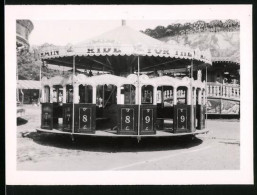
column 226, row 91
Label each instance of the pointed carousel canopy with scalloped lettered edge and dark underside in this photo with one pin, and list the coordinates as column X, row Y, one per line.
column 117, row 51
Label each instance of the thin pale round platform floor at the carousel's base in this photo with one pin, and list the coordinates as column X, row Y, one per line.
column 113, row 133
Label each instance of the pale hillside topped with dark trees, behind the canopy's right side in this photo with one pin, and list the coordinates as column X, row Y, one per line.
column 221, row 38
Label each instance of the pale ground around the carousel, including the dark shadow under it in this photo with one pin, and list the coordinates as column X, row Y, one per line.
column 218, row 150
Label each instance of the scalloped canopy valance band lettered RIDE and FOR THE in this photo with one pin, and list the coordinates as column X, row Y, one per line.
column 120, row 49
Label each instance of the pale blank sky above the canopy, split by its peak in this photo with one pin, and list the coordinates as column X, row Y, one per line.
column 63, row 32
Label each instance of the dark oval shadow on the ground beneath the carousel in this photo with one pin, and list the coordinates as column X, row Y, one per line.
column 111, row 144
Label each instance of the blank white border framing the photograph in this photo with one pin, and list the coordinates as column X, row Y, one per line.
column 129, row 12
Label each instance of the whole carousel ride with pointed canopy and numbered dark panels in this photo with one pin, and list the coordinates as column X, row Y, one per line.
column 125, row 92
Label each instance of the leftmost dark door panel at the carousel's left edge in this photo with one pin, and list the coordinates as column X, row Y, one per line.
column 47, row 116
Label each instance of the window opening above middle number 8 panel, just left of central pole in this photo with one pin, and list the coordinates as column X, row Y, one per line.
column 128, row 94
